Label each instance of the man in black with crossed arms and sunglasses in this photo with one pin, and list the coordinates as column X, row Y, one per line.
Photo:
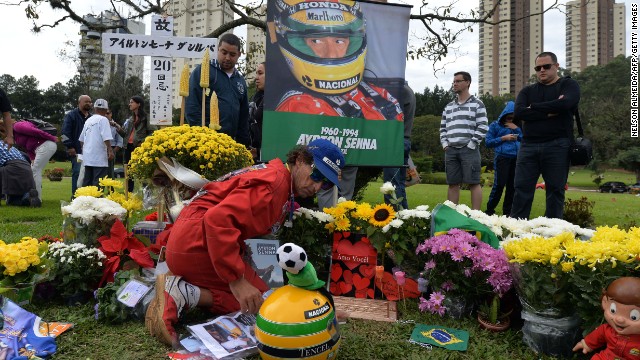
column 546, row 109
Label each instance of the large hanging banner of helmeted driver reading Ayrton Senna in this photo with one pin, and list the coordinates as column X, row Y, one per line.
column 334, row 86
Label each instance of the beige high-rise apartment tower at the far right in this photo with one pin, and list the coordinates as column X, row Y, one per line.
column 595, row 32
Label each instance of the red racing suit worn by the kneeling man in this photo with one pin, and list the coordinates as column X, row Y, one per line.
column 206, row 243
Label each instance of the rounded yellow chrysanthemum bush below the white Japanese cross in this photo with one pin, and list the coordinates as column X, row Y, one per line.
column 207, row 152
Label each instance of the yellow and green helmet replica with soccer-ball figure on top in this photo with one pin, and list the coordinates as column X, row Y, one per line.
column 298, row 321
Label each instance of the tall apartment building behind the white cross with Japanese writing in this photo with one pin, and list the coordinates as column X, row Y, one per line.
column 97, row 67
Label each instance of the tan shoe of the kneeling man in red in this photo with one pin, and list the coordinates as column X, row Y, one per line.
column 165, row 309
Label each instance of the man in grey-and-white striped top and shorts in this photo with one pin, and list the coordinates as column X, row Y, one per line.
column 463, row 126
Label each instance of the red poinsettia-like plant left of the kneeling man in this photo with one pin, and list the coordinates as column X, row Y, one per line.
column 119, row 247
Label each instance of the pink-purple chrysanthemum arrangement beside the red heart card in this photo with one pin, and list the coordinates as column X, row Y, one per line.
column 458, row 264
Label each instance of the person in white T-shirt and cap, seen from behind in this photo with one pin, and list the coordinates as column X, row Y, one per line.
column 96, row 144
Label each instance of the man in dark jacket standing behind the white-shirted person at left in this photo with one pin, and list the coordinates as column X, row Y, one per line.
column 71, row 129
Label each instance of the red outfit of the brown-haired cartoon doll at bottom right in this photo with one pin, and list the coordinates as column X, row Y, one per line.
column 618, row 346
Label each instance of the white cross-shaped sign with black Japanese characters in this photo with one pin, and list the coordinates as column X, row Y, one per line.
column 162, row 46
